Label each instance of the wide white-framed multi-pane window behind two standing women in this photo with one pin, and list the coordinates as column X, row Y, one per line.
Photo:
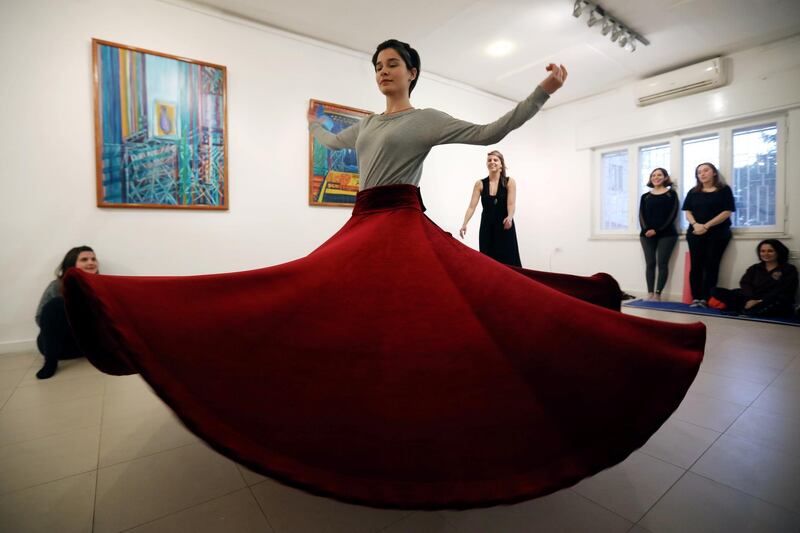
column 748, row 155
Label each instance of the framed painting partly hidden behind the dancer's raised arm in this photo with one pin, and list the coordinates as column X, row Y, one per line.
column 333, row 174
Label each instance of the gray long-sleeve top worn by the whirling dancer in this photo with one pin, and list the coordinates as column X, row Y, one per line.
column 392, row 148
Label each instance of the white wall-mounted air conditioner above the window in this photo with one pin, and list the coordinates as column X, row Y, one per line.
column 688, row 80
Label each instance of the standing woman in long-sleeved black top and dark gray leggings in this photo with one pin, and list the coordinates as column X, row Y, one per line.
column 657, row 211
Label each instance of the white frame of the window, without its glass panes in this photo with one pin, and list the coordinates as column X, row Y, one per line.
column 675, row 140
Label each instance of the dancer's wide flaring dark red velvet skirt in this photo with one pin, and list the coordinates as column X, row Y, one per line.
column 394, row 366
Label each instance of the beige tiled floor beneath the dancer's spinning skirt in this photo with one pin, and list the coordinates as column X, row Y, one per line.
column 89, row 452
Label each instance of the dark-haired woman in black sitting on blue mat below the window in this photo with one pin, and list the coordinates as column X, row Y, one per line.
column 767, row 288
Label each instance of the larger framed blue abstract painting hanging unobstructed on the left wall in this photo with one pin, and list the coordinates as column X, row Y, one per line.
column 161, row 135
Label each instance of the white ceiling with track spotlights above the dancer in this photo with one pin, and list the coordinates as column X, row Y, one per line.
column 452, row 35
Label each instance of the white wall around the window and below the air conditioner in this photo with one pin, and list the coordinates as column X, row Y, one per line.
column 764, row 79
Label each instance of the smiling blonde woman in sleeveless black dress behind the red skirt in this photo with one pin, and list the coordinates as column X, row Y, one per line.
column 497, row 193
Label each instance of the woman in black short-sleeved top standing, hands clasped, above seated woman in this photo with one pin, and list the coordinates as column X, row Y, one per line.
column 708, row 207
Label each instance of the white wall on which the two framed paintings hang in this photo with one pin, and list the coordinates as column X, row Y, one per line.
column 47, row 176
